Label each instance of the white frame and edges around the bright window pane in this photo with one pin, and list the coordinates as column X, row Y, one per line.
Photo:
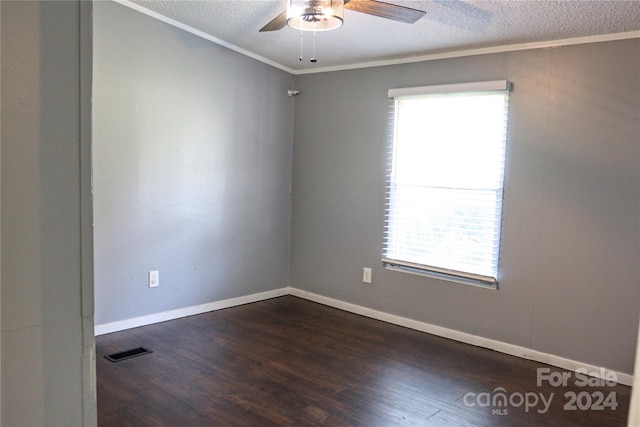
column 495, row 86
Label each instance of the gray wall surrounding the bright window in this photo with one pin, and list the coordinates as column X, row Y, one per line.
column 569, row 267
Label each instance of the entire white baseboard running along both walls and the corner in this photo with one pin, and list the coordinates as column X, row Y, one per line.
column 502, row 347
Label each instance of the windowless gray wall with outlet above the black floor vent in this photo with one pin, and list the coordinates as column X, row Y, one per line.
column 191, row 167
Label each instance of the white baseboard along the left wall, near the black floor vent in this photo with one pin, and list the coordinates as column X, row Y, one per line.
column 186, row 311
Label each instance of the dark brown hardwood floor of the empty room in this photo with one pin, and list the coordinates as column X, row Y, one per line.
column 291, row 362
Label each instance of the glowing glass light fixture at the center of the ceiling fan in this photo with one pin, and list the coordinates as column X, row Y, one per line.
column 315, row 15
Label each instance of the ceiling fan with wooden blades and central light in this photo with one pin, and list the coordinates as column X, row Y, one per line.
column 370, row 7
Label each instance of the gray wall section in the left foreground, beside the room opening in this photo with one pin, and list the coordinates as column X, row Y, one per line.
column 47, row 324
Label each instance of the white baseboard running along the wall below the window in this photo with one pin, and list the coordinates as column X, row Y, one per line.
column 502, row 347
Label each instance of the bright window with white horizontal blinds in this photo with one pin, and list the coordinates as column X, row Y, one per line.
column 444, row 205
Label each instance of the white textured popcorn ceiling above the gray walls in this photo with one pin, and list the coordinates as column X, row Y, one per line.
column 448, row 26
